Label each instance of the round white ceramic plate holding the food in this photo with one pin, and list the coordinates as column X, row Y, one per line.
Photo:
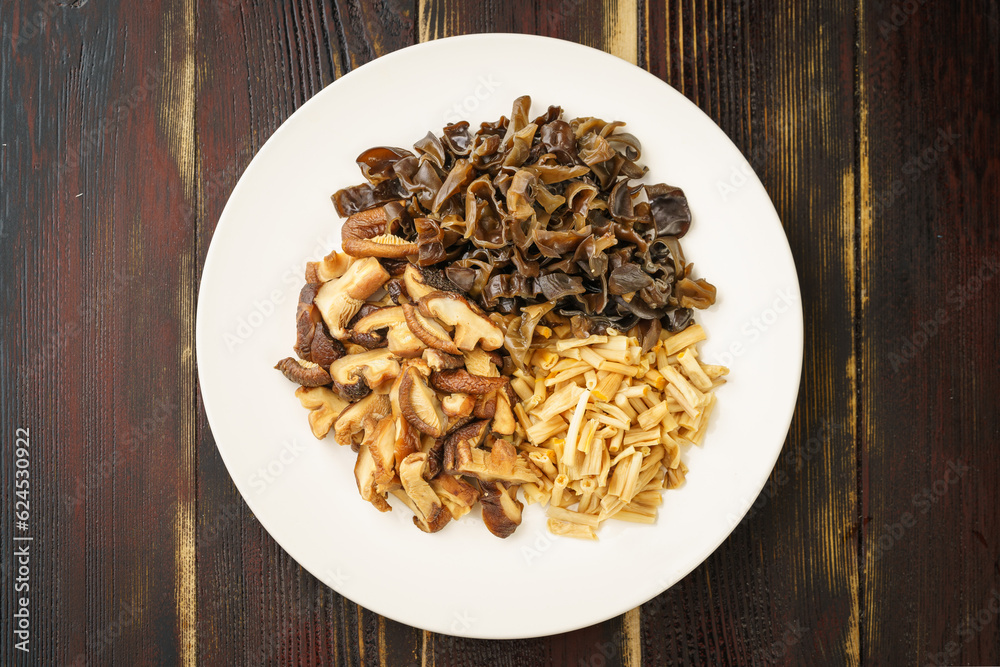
column 463, row 580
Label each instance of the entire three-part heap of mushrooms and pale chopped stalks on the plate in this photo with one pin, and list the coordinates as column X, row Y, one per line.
column 504, row 317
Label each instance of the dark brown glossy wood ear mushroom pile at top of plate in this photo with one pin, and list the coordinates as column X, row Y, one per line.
column 526, row 212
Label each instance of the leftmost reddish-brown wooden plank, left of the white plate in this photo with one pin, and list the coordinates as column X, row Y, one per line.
column 101, row 377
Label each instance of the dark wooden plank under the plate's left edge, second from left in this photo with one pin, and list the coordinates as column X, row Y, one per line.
column 258, row 62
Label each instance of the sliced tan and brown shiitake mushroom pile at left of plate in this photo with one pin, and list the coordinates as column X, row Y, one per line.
column 408, row 376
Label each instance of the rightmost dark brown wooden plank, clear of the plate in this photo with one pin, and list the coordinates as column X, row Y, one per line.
column 930, row 244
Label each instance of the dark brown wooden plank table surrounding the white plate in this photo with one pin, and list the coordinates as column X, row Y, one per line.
column 874, row 126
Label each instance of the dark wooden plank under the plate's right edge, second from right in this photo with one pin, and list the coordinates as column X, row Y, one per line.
column 778, row 79
